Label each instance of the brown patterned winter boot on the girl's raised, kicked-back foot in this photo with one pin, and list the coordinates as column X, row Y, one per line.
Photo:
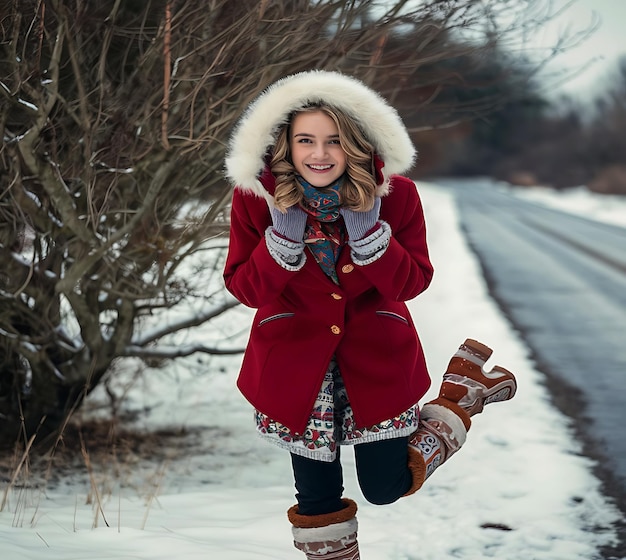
column 444, row 422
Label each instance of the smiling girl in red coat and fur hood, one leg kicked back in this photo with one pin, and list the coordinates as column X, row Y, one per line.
column 327, row 242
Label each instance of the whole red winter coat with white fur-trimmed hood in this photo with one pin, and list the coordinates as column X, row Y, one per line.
column 303, row 317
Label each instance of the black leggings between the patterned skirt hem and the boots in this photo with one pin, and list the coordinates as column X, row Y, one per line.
column 381, row 468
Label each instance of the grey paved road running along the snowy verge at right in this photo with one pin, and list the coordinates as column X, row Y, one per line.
column 561, row 280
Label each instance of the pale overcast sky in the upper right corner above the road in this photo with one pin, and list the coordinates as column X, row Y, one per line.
column 597, row 55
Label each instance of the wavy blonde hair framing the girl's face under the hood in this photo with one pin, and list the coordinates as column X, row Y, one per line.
column 358, row 188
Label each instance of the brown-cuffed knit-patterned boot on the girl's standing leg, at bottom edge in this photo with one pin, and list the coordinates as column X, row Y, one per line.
column 331, row 536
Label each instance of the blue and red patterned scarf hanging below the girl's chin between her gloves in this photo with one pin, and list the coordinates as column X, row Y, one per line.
column 324, row 234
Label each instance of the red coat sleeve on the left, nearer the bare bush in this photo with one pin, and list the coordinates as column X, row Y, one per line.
column 251, row 274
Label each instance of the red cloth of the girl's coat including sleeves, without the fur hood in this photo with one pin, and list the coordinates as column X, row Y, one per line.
column 292, row 338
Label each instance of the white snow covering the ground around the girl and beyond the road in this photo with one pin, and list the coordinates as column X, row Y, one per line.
column 519, row 489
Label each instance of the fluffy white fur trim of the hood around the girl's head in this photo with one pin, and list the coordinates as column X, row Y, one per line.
column 256, row 130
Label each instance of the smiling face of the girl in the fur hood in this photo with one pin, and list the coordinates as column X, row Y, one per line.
column 315, row 149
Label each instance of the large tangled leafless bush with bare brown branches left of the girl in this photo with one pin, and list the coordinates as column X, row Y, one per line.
column 114, row 117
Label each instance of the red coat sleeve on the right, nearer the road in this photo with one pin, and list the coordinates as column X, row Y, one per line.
column 404, row 270
